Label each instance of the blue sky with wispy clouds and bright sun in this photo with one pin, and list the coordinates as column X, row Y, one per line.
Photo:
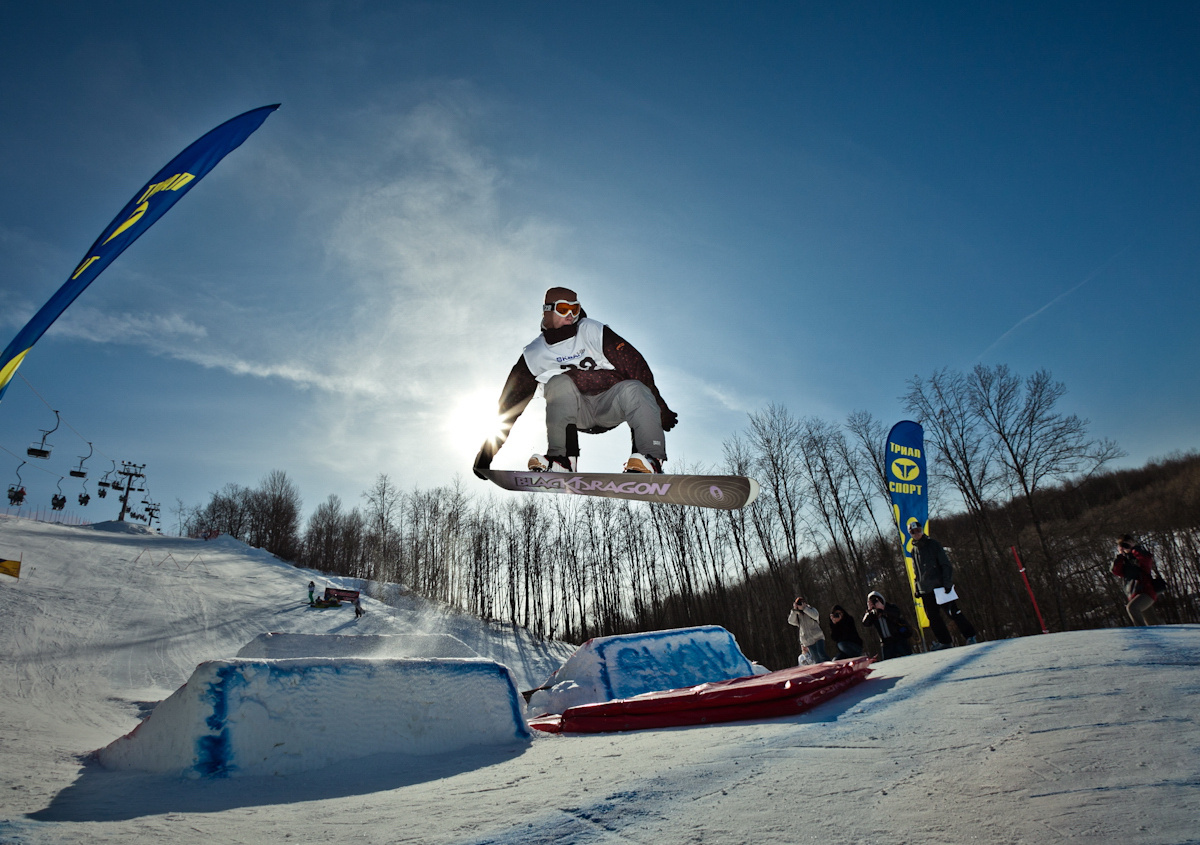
column 791, row 203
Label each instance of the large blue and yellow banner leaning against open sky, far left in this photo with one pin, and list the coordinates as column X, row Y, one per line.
column 164, row 190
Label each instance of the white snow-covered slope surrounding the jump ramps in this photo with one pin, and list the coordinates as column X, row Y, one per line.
column 1087, row 736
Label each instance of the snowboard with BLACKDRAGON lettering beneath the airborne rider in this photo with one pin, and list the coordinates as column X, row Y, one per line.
column 724, row 493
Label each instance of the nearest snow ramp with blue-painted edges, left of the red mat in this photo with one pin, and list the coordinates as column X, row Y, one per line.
column 256, row 717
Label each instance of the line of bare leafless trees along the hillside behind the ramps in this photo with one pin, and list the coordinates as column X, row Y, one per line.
column 1016, row 478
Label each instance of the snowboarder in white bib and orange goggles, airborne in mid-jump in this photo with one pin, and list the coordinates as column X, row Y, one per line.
column 593, row 381
